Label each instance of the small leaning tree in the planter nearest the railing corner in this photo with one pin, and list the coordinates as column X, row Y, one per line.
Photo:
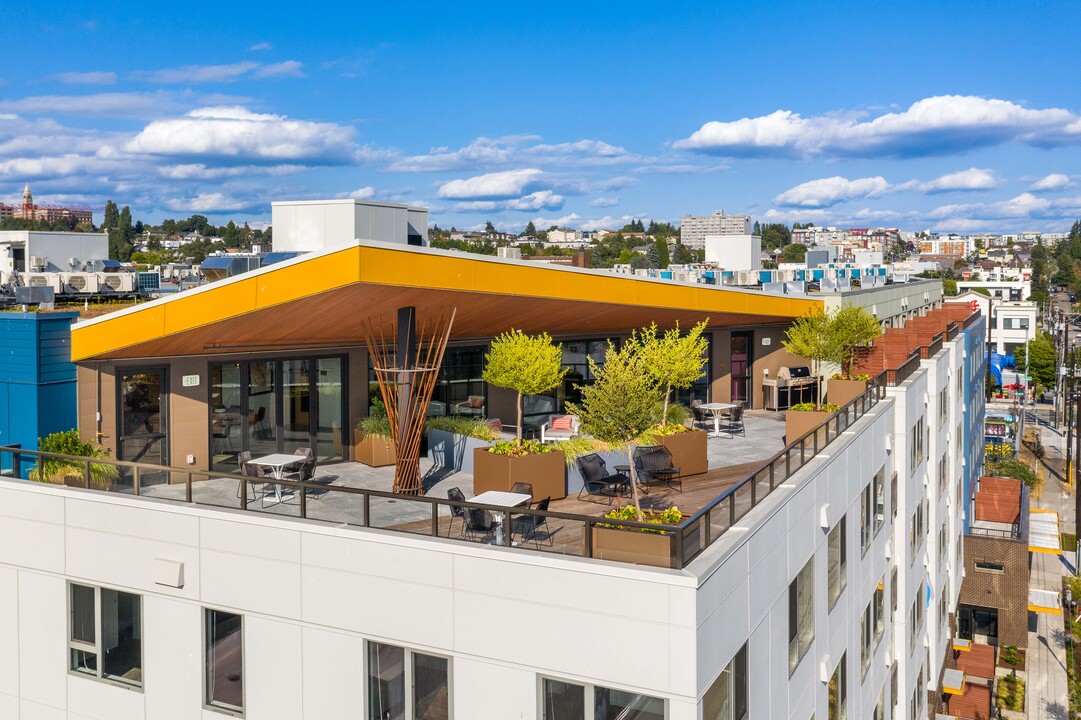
column 624, row 402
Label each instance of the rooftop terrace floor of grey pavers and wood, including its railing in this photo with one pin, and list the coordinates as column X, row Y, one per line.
column 742, row 472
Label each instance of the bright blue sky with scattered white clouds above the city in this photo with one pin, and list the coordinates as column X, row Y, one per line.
column 956, row 117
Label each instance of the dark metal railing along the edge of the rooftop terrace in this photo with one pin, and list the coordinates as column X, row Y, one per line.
column 687, row 541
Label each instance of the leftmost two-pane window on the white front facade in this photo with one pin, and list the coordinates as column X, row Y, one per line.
column 105, row 634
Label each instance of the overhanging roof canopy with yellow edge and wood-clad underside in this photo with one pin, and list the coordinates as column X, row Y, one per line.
column 325, row 300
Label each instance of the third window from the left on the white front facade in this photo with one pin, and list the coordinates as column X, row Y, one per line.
column 407, row 685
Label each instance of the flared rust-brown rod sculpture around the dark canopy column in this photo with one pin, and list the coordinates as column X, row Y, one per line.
column 407, row 368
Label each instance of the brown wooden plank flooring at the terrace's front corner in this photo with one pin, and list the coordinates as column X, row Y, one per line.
column 566, row 537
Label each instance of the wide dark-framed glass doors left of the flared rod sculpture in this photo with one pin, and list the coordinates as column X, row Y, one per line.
column 277, row 407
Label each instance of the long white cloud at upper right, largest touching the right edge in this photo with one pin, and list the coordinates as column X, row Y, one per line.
column 935, row 126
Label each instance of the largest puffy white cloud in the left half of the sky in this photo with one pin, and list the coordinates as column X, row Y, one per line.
column 236, row 134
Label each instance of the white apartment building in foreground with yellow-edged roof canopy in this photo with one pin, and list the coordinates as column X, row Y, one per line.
column 822, row 588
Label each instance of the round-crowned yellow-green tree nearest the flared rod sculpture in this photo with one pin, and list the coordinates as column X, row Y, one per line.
column 528, row 364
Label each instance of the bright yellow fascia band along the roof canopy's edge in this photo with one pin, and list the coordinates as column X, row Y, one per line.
column 383, row 264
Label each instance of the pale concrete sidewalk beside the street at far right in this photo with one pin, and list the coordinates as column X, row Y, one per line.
column 1047, row 696
